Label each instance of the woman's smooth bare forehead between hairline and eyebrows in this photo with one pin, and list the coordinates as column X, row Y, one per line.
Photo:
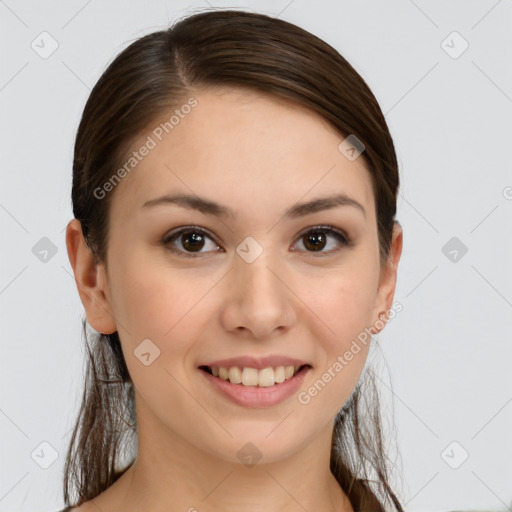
column 251, row 149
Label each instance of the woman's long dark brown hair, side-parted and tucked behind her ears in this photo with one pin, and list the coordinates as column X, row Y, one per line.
column 153, row 75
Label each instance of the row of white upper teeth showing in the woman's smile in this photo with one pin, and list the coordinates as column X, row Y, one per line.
column 252, row 377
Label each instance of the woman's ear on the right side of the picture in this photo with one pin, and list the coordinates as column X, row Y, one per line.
column 387, row 282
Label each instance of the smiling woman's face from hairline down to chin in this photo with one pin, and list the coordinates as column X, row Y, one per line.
column 256, row 282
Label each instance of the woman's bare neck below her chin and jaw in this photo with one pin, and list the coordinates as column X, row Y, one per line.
column 170, row 474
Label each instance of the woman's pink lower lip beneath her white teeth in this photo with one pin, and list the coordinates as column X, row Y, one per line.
column 256, row 396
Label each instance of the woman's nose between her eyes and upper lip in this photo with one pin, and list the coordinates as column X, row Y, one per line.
column 258, row 303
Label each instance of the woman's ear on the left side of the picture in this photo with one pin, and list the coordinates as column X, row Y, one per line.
column 90, row 278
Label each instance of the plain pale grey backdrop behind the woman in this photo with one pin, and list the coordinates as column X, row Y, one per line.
column 441, row 71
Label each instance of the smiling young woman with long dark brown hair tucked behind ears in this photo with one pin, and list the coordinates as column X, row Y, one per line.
column 235, row 247
